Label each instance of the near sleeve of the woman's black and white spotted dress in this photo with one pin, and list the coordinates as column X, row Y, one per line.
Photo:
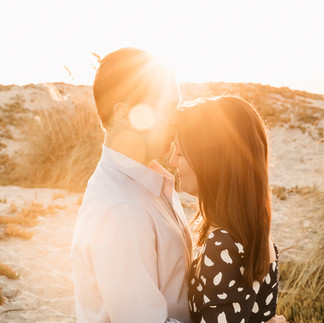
column 225, row 299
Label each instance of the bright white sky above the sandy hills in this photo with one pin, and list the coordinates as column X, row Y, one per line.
column 276, row 42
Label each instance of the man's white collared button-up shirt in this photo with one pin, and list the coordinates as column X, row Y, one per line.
column 131, row 248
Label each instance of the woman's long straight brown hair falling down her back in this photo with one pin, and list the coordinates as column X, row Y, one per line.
column 225, row 142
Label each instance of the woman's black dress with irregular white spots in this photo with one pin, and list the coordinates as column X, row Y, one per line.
column 216, row 293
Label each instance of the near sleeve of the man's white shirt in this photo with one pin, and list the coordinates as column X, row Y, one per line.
column 124, row 260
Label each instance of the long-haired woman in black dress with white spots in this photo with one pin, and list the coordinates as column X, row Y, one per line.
column 222, row 158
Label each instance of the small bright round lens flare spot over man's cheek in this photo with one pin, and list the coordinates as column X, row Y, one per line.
column 141, row 117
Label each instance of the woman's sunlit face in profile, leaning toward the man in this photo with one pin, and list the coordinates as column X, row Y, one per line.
column 187, row 178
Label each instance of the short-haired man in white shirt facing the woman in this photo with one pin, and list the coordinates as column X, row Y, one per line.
column 131, row 247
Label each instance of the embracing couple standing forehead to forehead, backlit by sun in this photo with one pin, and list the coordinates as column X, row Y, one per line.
column 132, row 246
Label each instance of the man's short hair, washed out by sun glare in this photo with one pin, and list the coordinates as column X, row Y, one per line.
column 131, row 76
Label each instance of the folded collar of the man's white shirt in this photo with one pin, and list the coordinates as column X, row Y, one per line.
column 152, row 177
